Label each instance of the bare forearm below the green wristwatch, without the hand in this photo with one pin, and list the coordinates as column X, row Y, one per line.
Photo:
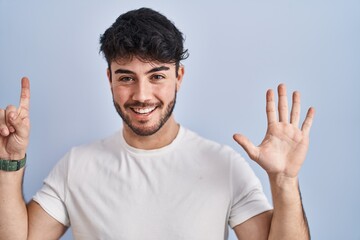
column 13, row 212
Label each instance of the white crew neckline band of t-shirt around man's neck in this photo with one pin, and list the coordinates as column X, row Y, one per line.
column 162, row 150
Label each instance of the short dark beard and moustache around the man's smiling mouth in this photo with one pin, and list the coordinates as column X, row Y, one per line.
column 142, row 130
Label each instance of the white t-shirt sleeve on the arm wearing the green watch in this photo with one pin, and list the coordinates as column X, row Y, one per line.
column 52, row 196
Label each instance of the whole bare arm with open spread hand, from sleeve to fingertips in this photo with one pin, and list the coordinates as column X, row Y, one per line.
column 281, row 154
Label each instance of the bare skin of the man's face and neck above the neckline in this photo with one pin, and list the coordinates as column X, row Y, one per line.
column 142, row 85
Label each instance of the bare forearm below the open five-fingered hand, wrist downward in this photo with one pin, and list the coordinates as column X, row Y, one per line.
column 289, row 220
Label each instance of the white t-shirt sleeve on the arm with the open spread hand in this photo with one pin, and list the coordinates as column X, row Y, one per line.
column 248, row 198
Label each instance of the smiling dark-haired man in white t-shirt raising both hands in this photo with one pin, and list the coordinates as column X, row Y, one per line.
column 155, row 179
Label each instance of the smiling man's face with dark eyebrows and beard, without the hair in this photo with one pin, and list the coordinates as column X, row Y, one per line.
column 144, row 93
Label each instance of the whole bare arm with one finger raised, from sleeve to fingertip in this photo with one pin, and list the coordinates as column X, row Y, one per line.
column 17, row 220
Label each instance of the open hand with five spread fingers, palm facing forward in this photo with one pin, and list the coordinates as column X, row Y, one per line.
column 284, row 147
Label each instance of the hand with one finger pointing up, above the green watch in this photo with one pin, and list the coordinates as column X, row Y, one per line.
column 15, row 126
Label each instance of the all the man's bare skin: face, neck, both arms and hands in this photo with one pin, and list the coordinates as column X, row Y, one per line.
column 154, row 85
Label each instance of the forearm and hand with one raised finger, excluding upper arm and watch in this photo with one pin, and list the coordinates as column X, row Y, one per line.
column 14, row 137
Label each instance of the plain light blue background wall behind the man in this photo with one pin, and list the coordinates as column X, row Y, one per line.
column 238, row 49
